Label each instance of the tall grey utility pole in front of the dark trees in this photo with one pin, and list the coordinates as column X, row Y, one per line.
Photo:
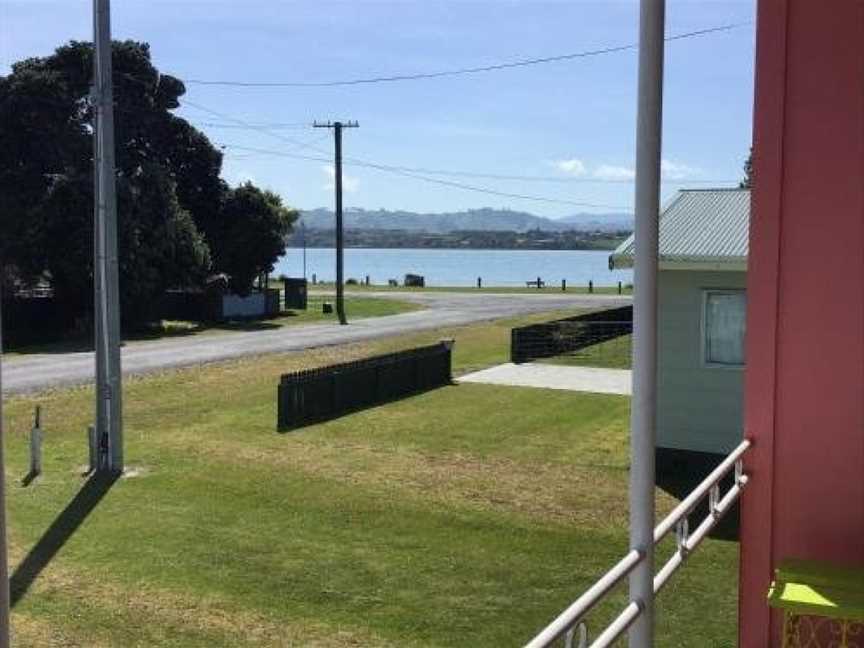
column 109, row 391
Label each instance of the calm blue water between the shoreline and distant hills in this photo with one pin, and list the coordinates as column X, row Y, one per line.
column 458, row 267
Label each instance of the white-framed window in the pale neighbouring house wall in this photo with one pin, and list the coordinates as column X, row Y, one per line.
column 724, row 324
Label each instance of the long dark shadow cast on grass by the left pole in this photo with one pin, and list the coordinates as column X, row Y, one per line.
column 58, row 534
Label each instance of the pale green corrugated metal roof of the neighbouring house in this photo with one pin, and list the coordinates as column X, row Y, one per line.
column 700, row 227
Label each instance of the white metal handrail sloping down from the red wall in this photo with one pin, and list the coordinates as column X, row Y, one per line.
column 570, row 624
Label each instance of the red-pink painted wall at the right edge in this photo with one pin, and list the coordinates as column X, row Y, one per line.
column 804, row 403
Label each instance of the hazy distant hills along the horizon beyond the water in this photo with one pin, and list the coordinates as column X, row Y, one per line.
column 478, row 220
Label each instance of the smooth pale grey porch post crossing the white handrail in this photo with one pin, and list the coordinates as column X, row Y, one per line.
column 649, row 126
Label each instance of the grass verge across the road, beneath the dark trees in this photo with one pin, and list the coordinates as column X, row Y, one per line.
column 356, row 307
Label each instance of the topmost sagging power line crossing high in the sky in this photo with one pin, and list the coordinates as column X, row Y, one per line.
column 461, row 71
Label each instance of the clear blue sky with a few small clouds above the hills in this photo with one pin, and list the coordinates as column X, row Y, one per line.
column 573, row 119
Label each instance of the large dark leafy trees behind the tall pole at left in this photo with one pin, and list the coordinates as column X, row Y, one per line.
column 177, row 219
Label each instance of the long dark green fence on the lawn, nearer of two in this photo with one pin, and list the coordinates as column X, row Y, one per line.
column 316, row 395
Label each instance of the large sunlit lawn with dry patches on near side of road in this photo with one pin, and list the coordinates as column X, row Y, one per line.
column 466, row 516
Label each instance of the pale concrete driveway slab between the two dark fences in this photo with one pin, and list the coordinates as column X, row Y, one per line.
column 548, row 376
